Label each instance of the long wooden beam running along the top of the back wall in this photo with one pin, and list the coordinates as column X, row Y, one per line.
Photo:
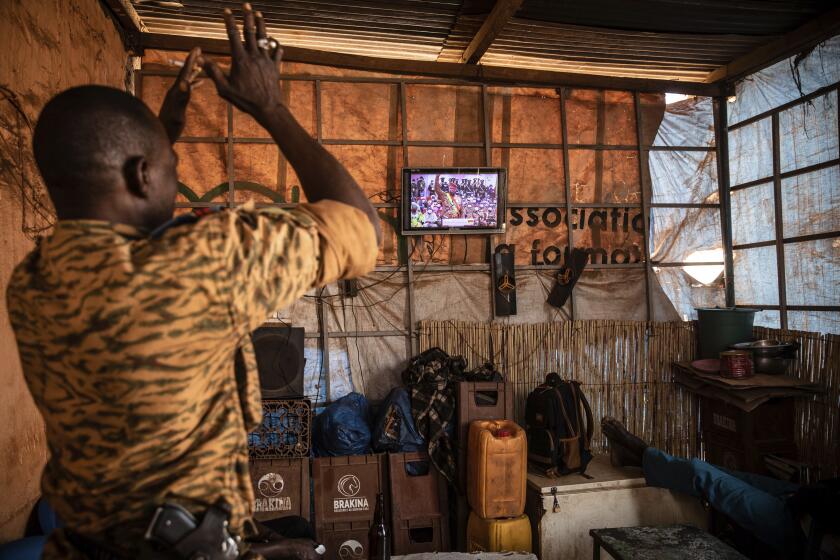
column 447, row 70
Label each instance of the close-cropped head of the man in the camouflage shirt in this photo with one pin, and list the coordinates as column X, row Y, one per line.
column 104, row 155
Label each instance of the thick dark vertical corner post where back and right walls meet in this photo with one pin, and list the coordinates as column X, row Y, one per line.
column 724, row 194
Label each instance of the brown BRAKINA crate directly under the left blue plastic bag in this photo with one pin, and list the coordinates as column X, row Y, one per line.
column 346, row 487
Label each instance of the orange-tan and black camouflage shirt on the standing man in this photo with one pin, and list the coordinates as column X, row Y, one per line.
column 127, row 343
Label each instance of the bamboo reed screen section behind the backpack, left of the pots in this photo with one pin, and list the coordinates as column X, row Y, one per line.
column 624, row 368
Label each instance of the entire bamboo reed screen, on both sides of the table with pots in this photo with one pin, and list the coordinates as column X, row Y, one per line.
column 625, row 370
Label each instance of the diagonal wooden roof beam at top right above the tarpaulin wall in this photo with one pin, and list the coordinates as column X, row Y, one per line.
column 811, row 33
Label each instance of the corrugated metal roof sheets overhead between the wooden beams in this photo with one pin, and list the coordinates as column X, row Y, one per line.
column 669, row 39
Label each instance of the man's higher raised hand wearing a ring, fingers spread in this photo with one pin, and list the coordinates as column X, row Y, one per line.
column 253, row 84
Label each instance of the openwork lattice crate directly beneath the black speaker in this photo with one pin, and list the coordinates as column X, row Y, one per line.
column 286, row 430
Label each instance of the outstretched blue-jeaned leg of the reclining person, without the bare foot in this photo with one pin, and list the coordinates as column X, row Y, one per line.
column 759, row 512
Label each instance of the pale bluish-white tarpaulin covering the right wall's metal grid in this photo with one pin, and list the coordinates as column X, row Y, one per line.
column 810, row 202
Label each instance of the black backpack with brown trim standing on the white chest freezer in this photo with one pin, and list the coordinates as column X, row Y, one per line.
column 558, row 441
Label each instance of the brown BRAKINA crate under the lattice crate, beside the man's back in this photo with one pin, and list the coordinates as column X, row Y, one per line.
column 281, row 487
